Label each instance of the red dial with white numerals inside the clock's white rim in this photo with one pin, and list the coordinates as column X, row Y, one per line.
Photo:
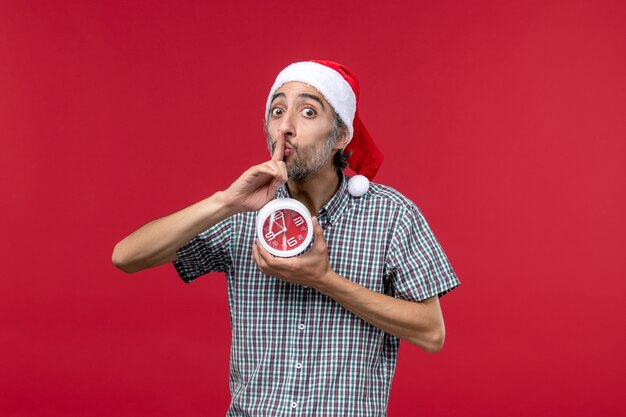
column 284, row 229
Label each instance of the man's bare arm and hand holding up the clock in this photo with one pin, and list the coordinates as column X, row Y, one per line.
column 420, row 323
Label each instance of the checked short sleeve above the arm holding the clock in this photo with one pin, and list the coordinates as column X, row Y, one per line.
column 418, row 267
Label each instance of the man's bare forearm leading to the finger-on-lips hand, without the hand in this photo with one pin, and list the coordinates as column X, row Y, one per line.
column 156, row 243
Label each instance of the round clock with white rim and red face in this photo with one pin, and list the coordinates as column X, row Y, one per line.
column 284, row 227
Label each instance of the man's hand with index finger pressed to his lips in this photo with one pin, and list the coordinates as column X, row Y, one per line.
column 258, row 185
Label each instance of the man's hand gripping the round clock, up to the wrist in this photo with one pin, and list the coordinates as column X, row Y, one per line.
column 311, row 269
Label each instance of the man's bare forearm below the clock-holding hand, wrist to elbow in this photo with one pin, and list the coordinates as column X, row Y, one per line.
column 420, row 323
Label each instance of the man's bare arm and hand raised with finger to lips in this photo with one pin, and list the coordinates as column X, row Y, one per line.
column 157, row 242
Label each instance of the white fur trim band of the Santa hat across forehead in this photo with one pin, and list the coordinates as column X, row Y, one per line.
column 337, row 92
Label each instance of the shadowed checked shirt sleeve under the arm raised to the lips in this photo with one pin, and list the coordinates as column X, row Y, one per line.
column 207, row 252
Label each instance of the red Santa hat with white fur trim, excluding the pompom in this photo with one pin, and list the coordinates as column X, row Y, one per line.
column 340, row 87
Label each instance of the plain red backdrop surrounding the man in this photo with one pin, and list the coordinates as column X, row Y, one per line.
column 503, row 121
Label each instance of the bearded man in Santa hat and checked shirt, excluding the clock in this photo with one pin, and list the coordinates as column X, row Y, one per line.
column 316, row 334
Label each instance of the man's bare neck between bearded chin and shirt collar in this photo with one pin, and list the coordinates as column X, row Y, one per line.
column 316, row 191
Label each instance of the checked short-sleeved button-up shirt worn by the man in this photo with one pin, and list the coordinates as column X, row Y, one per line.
column 295, row 351
